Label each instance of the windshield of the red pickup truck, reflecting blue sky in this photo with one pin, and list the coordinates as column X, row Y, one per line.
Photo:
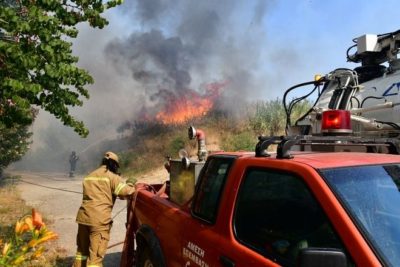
column 371, row 195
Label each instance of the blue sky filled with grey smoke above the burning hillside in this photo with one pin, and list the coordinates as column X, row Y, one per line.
column 259, row 48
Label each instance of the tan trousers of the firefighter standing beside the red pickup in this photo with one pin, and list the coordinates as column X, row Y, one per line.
column 92, row 244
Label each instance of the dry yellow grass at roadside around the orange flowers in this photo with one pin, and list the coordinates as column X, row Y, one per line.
column 12, row 208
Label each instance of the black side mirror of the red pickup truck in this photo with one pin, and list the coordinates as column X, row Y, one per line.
column 316, row 257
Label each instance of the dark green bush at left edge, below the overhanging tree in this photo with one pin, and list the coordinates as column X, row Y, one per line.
column 14, row 142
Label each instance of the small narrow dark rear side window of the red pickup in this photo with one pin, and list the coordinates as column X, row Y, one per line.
column 210, row 187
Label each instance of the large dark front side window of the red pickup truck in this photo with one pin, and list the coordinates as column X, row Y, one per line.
column 277, row 216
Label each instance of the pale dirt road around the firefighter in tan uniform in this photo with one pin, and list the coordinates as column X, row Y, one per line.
column 58, row 198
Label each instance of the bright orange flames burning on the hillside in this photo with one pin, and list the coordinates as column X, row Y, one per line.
column 189, row 105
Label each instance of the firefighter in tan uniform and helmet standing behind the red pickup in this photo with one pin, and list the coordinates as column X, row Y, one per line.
column 100, row 190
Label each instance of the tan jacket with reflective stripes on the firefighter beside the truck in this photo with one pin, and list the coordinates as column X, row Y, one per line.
column 100, row 190
